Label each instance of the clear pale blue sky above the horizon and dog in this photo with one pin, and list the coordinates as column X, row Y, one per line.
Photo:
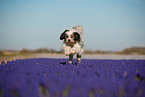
column 108, row 24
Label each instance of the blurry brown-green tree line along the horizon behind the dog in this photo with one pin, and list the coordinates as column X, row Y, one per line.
column 131, row 50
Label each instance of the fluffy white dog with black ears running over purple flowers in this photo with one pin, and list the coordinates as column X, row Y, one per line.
column 73, row 42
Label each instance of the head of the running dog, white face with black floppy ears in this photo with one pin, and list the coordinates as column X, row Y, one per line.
column 70, row 36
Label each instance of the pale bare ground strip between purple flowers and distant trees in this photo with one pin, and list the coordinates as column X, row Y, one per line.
column 85, row 56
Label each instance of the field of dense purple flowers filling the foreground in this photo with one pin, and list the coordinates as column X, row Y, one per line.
column 51, row 77
